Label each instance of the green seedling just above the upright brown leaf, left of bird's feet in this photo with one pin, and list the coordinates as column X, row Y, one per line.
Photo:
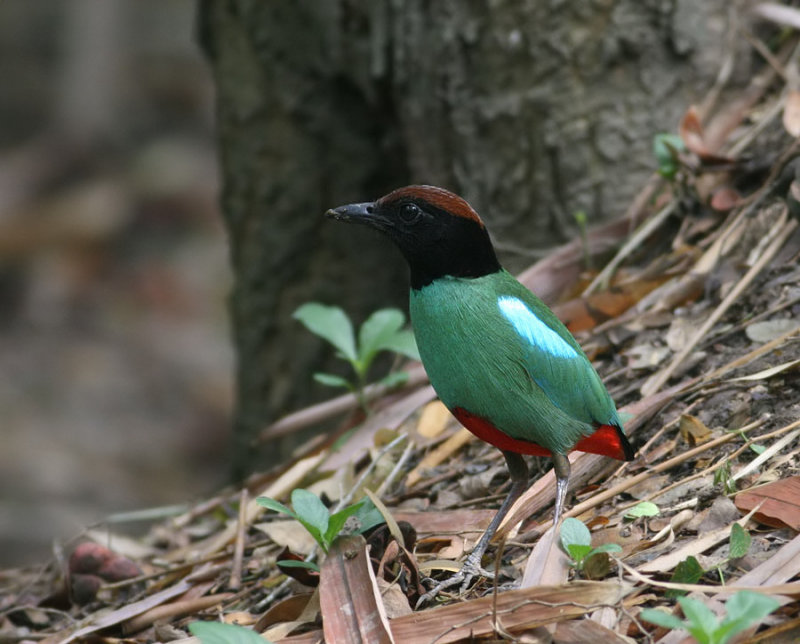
column 321, row 524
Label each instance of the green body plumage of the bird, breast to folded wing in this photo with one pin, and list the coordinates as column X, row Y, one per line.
column 478, row 360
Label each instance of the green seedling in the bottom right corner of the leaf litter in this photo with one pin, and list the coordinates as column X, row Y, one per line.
column 742, row 610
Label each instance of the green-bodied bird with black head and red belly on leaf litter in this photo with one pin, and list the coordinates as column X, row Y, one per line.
column 498, row 358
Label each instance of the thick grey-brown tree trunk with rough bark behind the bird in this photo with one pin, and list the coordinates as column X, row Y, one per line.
column 530, row 110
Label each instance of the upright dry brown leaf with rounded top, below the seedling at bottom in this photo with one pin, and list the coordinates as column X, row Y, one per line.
column 347, row 580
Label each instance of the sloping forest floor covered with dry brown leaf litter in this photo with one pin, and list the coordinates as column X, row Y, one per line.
column 694, row 323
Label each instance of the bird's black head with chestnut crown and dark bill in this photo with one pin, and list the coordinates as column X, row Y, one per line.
column 437, row 231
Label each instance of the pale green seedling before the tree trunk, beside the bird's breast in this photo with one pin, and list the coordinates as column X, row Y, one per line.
column 382, row 331
